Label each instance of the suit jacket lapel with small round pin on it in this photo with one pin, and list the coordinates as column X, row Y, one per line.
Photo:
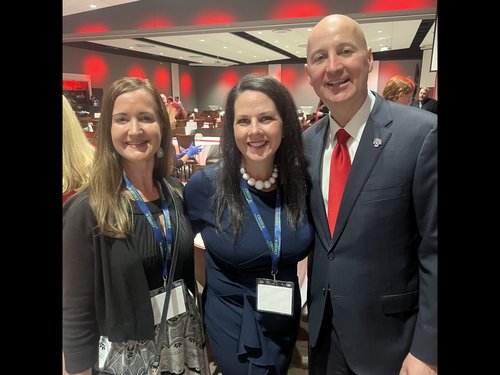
column 364, row 161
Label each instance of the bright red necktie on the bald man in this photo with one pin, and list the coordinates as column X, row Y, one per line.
column 340, row 165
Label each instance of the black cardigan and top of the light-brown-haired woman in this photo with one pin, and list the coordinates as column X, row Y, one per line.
column 106, row 281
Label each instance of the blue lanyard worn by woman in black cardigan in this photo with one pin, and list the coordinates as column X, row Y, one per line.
column 165, row 252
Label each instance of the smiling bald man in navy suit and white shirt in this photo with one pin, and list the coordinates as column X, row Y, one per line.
column 373, row 281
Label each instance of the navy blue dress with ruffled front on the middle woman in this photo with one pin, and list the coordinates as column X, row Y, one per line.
column 242, row 340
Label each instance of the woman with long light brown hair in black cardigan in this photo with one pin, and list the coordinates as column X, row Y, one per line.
column 124, row 239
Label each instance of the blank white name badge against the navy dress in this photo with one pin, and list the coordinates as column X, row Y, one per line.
column 275, row 296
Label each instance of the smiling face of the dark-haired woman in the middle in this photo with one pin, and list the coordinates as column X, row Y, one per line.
column 258, row 127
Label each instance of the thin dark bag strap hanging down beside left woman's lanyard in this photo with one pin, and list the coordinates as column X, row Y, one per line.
column 155, row 364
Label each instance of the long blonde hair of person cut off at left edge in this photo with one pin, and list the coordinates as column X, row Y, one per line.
column 78, row 153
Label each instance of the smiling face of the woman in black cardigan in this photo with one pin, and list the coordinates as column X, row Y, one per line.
column 135, row 130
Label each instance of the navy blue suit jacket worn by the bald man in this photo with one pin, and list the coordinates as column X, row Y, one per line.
column 381, row 264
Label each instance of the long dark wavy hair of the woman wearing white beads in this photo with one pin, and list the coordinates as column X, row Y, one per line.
column 289, row 157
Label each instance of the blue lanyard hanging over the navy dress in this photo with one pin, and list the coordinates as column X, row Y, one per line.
column 274, row 248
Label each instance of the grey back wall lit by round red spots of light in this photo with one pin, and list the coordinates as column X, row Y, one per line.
column 203, row 86
